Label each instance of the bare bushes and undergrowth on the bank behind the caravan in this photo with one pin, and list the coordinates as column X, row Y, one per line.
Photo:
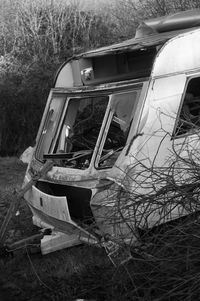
column 36, row 36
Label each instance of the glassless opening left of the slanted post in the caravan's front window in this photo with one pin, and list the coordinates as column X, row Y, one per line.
column 80, row 130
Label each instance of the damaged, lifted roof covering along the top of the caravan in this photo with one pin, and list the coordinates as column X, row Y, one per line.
column 152, row 33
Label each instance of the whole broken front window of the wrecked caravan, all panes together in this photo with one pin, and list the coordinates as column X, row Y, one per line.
column 72, row 126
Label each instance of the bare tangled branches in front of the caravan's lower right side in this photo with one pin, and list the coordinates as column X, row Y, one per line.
column 155, row 212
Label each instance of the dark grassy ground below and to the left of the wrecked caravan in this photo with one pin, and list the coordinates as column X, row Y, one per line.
column 167, row 267
